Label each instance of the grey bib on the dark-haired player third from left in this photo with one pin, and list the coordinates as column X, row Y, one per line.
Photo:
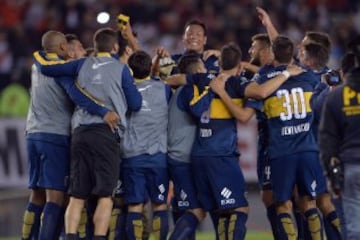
column 146, row 132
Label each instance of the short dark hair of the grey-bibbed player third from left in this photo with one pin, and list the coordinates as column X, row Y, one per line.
column 140, row 64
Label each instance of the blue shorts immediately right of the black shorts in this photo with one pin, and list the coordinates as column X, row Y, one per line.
column 143, row 183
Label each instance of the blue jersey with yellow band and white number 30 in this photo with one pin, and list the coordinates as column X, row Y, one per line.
column 288, row 113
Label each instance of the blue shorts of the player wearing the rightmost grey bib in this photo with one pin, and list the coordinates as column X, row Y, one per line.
column 184, row 186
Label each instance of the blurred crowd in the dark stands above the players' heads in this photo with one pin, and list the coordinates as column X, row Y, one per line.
column 160, row 22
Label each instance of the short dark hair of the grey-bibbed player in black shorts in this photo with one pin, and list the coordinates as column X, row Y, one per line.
column 104, row 39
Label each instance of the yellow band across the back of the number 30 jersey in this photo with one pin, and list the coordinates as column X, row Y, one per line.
column 285, row 104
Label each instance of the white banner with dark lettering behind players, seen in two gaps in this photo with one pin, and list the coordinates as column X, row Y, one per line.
column 13, row 156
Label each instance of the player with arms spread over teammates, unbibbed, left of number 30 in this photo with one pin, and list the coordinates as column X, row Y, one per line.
column 214, row 151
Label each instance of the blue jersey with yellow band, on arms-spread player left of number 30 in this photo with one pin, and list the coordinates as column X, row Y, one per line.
column 216, row 127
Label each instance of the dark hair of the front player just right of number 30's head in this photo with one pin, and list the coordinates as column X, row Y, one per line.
column 318, row 53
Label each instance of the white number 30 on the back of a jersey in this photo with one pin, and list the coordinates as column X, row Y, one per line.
column 293, row 103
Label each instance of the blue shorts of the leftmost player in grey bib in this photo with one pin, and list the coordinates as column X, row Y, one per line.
column 49, row 160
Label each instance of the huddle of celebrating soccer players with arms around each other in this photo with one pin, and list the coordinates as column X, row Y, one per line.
column 131, row 134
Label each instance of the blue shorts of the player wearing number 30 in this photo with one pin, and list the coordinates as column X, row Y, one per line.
column 300, row 169
